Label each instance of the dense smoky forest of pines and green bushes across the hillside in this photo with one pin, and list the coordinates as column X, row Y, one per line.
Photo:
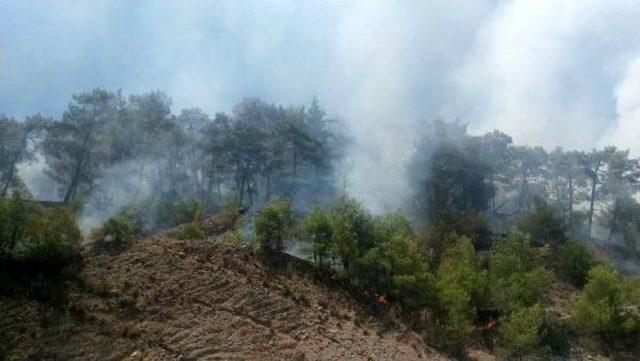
column 472, row 256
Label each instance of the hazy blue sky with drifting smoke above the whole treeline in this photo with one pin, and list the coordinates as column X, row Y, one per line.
column 550, row 73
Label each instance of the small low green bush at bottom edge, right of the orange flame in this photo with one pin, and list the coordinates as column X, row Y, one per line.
column 522, row 334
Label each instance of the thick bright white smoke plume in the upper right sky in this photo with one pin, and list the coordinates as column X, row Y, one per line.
column 545, row 71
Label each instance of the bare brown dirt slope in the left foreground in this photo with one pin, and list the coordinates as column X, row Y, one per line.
column 185, row 300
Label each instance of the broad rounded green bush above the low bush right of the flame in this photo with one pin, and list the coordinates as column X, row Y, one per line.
column 516, row 279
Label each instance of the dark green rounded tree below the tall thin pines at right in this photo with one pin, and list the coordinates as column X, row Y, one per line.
column 544, row 225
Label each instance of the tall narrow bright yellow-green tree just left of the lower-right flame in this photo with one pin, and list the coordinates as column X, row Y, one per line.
column 461, row 283
